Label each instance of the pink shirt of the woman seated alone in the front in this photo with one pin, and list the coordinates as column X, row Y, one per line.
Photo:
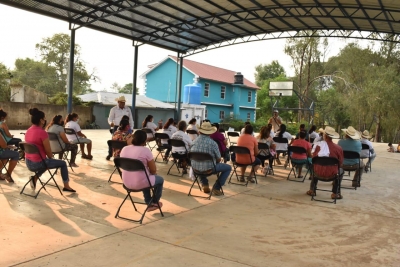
column 137, row 180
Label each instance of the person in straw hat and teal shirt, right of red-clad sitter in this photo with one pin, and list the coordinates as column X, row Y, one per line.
column 351, row 142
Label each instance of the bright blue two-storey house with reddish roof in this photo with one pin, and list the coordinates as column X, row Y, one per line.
column 220, row 94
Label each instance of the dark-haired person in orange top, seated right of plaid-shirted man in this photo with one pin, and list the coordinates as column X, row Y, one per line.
column 249, row 141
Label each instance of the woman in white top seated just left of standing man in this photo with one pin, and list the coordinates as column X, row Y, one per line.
column 72, row 122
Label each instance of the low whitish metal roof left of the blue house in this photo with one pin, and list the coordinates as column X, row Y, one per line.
column 109, row 99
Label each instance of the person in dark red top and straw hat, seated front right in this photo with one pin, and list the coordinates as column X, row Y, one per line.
column 327, row 148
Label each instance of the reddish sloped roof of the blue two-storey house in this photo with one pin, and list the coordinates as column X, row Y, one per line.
column 209, row 72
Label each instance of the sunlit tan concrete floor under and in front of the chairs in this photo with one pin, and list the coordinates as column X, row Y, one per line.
column 273, row 223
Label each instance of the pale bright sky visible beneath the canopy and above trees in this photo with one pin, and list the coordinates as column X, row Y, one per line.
column 111, row 57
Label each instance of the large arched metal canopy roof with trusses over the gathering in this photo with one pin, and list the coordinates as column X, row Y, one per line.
column 188, row 26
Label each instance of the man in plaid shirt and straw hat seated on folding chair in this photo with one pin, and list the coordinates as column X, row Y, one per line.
column 205, row 144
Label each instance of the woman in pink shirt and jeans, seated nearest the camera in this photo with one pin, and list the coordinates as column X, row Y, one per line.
column 138, row 180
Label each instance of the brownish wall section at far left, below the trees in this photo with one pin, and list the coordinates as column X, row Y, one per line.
column 26, row 94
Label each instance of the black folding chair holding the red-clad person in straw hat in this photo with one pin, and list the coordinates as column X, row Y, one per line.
column 326, row 161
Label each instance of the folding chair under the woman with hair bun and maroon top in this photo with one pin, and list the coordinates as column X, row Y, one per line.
column 32, row 149
